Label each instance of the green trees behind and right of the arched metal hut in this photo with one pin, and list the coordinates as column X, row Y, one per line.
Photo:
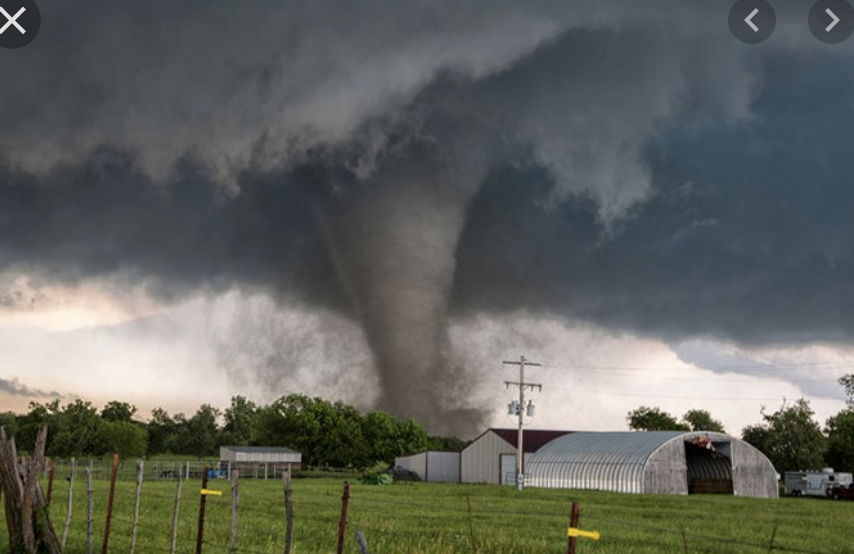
column 791, row 437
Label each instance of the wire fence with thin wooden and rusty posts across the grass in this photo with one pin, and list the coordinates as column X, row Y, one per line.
column 214, row 512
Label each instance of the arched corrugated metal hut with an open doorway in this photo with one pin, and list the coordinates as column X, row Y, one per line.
column 654, row 463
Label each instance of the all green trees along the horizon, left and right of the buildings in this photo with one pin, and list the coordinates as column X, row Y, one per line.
column 337, row 435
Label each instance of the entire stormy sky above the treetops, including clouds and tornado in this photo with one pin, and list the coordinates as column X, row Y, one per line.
column 379, row 202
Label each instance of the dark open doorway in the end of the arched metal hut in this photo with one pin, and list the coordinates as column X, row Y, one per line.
column 709, row 467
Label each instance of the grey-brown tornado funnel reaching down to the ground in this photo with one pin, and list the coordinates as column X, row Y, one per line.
column 394, row 243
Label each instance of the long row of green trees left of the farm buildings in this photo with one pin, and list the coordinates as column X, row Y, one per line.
column 327, row 434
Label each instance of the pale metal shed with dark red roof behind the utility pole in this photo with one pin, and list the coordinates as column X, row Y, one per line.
column 491, row 457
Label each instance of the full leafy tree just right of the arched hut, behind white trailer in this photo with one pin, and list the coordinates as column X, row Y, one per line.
column 790, row 437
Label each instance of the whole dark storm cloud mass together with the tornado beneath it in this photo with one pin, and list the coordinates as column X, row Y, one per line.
column 602, row 160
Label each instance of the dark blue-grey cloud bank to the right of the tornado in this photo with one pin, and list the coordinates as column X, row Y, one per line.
column 747, row 236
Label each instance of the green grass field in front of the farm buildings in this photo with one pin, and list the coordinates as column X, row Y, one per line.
column 416, row 518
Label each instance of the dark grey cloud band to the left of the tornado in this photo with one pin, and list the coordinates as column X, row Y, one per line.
column 106, row 218
